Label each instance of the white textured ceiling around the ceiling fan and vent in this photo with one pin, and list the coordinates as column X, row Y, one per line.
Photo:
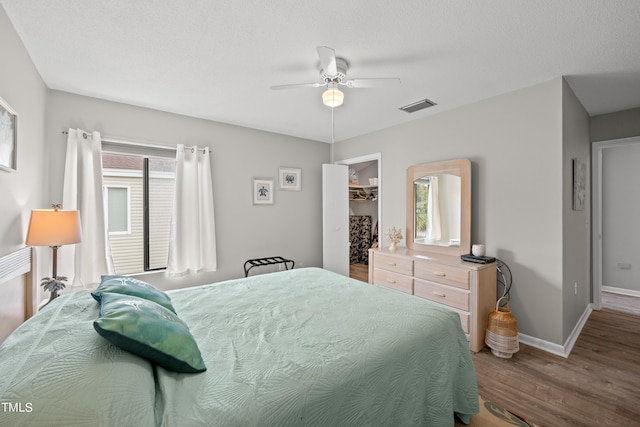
column 217, row 59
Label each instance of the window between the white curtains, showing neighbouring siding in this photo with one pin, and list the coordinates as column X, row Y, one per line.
column 140, row 203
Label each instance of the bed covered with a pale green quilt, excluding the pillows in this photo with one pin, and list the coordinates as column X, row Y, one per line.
column 303, row 347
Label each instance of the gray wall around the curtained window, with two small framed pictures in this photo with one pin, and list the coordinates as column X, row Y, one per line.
column 292, row 227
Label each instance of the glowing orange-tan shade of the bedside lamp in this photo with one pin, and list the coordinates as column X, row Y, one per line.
column 53, row 227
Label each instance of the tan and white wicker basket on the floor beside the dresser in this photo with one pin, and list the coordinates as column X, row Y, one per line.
column 502, row 332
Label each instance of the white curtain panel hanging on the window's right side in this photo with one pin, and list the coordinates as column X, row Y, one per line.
column 192, row 242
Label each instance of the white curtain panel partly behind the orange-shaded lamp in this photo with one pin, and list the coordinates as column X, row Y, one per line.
column 85, row 262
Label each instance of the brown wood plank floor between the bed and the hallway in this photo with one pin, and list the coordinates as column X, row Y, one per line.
column 598, row 384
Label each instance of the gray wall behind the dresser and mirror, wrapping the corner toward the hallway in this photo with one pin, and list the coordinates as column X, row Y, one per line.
column 519, row 179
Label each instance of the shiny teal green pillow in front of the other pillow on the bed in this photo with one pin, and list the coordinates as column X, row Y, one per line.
column 148, row 330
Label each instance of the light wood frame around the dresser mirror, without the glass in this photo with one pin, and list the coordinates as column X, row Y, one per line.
column 458, row 167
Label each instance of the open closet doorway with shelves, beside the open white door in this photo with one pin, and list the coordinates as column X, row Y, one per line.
column 365, row 207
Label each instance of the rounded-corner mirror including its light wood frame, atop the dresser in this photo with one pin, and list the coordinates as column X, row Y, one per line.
column 439, row 207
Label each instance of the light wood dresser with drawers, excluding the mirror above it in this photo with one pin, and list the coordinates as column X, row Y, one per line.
column 467, row 288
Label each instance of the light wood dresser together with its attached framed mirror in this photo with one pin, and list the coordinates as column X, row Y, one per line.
column 431, row 268
